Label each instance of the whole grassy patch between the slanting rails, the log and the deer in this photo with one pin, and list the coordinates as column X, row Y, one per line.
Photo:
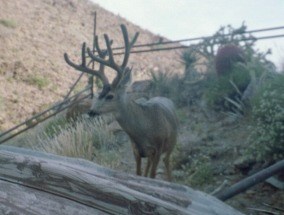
column 84, row 138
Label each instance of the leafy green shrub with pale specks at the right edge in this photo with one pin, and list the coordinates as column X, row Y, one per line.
column 267, row 136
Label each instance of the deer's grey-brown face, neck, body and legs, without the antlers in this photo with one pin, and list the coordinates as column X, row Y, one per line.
column 151, row 126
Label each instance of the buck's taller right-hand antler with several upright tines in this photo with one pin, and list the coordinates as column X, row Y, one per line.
column 110, row 62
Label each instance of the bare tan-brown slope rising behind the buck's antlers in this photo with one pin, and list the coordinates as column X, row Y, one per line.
column 34, row 35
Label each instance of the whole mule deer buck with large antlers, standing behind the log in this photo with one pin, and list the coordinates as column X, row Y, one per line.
column 150, row 124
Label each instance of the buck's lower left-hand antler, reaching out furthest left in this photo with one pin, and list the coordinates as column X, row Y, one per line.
column 84, row 68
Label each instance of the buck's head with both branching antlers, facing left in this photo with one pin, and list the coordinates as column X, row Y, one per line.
column 107, row 99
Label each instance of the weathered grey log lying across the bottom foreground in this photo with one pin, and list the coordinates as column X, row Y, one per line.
column 40, row 183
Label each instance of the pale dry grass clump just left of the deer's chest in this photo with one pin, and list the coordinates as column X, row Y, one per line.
column 85, row 139
